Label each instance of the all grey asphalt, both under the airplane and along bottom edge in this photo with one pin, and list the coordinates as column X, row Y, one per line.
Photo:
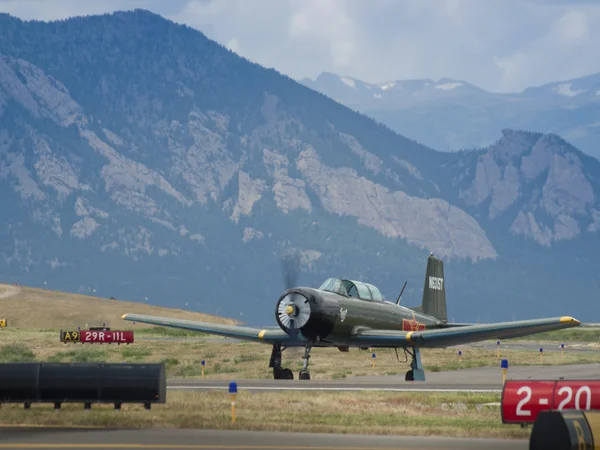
column 476, row 379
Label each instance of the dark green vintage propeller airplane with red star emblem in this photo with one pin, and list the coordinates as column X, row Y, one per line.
column 345, row 313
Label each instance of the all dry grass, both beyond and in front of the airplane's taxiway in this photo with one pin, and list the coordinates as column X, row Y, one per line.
column 36, row 316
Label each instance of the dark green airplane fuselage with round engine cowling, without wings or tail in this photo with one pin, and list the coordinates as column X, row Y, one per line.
column 334, row 318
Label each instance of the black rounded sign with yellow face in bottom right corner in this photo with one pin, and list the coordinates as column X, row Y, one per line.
column 577, row 430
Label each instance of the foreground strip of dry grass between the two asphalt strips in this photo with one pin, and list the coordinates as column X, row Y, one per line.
column 463, row 415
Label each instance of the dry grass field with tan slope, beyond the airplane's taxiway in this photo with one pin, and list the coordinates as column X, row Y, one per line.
column 36, row 316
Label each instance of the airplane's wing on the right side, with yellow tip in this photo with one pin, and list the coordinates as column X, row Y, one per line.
column 446, row 337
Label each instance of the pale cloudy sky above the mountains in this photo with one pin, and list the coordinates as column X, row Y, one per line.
column 499, row 45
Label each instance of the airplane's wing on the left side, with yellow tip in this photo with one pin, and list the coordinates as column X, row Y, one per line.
column 267, row 335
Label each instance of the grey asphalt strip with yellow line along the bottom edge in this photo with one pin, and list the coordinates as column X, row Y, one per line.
column 42, row 438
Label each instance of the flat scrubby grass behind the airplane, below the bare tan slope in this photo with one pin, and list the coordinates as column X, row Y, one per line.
column 225, row 359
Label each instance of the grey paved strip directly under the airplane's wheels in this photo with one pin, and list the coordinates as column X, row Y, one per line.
column 481, row 379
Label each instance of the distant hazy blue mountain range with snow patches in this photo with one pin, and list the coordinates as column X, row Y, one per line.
column 453, row 114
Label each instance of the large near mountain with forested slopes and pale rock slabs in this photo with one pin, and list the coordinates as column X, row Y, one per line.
column 141, row 160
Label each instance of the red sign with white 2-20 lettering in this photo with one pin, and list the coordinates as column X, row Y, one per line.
column 523, row 400
